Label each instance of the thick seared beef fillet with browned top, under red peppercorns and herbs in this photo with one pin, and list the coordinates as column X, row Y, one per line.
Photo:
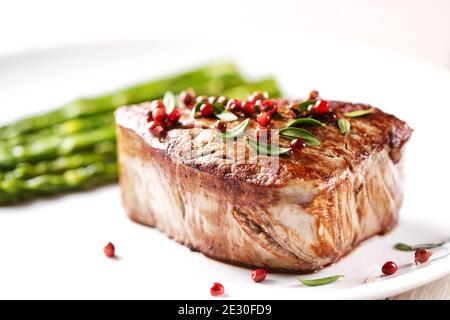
column 310, row 211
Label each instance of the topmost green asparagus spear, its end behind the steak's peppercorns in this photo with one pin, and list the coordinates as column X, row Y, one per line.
column 209, row 78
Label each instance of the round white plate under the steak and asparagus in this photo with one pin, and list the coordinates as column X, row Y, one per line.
column 53, row 248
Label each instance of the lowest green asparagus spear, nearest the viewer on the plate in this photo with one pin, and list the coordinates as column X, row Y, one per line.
column 98, row 173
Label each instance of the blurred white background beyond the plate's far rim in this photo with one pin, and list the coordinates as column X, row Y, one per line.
column 418, row 28
